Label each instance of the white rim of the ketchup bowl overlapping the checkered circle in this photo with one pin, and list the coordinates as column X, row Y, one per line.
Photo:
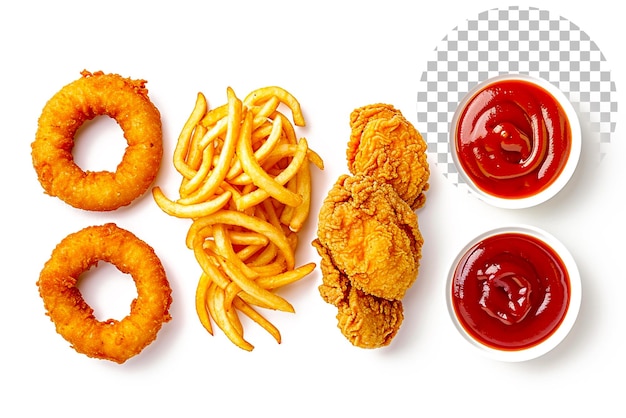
column 563, row 177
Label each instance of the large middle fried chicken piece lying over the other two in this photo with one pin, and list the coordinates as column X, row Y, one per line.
column 371, row 235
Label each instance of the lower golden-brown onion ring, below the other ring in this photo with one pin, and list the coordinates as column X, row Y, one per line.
column 74, row 319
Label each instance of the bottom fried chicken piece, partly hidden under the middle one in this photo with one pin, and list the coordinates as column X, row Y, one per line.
column 365, row 320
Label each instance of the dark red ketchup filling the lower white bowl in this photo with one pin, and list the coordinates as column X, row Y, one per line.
column 510, row 291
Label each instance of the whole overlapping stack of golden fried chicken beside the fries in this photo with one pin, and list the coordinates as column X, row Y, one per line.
column 368, row 235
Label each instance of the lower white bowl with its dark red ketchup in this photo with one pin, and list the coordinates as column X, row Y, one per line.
column 514, row 293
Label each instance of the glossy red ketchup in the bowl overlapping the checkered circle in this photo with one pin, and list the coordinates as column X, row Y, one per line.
column 513, row 139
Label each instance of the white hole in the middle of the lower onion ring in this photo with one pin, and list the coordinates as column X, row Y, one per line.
column 107, row 290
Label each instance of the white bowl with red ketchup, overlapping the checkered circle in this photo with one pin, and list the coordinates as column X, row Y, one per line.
column 515, row 140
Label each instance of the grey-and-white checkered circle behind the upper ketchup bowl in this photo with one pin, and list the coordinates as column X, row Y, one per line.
column 515, row 40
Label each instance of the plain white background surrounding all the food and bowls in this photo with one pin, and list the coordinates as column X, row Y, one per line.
column 333, row 56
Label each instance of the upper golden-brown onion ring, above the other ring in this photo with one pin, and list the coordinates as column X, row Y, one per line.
column 92, row 95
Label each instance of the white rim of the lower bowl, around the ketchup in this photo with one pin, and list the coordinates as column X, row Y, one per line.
column 564, row 327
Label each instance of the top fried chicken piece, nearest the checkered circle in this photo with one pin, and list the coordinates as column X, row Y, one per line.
column 385, row 145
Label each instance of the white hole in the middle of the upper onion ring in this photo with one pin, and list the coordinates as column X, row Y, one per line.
column 99, row 145
